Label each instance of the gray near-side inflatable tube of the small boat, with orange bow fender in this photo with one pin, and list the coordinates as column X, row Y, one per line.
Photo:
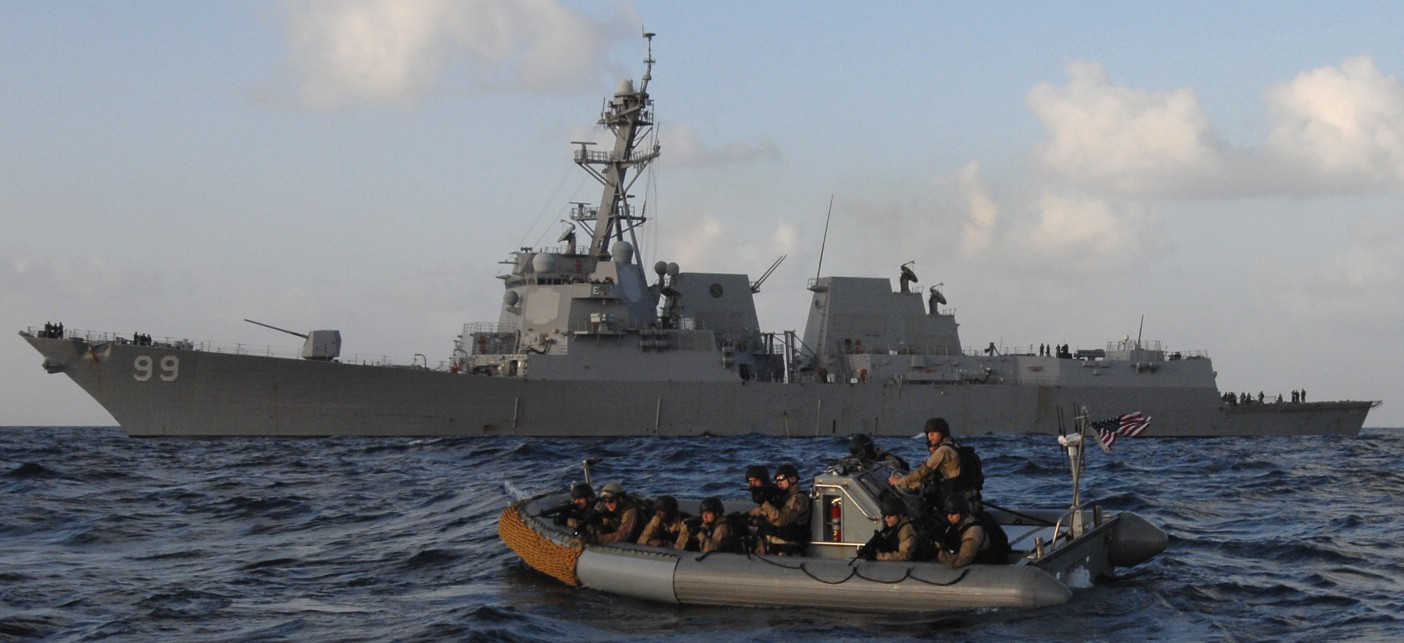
column 755, row 581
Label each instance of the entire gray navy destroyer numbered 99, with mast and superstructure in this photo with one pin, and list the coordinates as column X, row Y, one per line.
column 593, row 343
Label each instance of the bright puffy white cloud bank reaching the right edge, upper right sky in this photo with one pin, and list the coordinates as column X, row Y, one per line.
column 1335, row 130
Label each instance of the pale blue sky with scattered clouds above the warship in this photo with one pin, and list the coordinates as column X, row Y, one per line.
column 1225, row 179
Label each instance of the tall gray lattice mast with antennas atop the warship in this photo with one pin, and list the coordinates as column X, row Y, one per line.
column 630, row 116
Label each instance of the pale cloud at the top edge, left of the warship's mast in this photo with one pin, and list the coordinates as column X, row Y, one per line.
column 397, row 51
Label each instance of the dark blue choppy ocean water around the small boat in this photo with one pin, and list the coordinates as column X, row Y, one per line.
column 112, row 538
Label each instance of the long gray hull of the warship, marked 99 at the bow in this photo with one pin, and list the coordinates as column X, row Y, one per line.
column 155, row 391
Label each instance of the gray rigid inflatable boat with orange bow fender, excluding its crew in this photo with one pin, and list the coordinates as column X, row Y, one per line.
column 1051, row 554
